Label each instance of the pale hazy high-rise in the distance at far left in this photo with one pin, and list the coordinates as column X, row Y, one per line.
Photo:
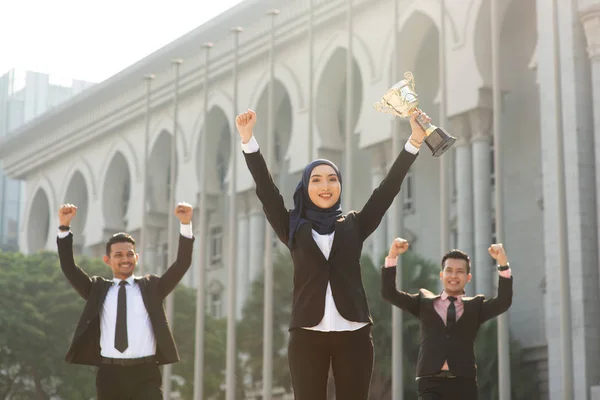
column 24, row 95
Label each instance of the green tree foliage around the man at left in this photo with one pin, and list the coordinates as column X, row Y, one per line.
column 38, row 314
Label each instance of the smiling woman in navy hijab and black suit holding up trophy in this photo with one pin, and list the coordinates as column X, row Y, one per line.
column 331, row 322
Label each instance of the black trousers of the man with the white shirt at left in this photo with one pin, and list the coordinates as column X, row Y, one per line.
column 135, row 382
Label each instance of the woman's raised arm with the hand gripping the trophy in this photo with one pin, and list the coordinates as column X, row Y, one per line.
column 382, row 197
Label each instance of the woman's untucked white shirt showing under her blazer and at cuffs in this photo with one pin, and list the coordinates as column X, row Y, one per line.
column 332, row 319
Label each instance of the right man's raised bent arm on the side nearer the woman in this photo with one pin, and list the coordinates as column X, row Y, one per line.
column 405, row 301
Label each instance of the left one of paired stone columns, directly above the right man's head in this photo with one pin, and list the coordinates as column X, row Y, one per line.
column 464, row 185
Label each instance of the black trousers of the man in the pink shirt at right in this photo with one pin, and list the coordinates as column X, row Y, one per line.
column 447, row 389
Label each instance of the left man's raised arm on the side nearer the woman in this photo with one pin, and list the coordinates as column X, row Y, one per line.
column 169, row 280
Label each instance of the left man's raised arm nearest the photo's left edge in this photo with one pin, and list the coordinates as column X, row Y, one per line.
column 75, row 275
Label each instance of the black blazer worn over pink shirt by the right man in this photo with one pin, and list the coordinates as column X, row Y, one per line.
column 437, row 343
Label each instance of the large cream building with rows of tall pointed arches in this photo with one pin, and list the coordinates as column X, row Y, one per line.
column 90, row 150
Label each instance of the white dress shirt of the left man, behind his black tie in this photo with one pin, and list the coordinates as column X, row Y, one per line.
column 140, row 334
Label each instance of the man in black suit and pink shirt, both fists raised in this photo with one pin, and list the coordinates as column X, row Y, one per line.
column 446, row 367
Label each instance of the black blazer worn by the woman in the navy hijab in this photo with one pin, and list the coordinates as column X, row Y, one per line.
column 312, row 271
